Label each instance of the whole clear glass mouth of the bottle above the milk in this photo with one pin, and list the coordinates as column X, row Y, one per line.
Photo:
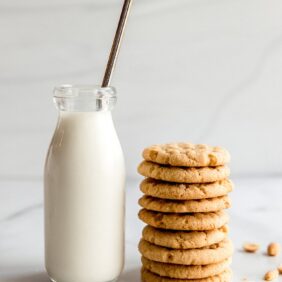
column 84, row 98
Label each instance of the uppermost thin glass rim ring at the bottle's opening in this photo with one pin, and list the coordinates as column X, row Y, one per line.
column 75, row 91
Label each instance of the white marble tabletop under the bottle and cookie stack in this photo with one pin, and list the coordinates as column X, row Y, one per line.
column 255, row 216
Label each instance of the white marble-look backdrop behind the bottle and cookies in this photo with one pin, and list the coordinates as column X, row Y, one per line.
column 198, row 70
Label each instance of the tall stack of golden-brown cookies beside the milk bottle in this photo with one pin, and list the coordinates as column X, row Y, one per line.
column 186, row 193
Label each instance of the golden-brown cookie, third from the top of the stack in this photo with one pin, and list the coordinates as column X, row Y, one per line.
column 184, row 191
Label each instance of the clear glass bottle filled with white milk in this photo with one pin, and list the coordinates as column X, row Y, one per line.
column 84, row 189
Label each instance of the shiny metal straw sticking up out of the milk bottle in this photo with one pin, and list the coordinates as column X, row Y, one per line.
column 116, row 44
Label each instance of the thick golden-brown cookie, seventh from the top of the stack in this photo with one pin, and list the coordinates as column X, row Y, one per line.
column 206, row 255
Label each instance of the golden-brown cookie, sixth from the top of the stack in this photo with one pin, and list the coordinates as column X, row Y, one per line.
column 184, row 239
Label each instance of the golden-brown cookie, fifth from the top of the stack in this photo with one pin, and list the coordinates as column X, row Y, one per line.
column 190, row 221
